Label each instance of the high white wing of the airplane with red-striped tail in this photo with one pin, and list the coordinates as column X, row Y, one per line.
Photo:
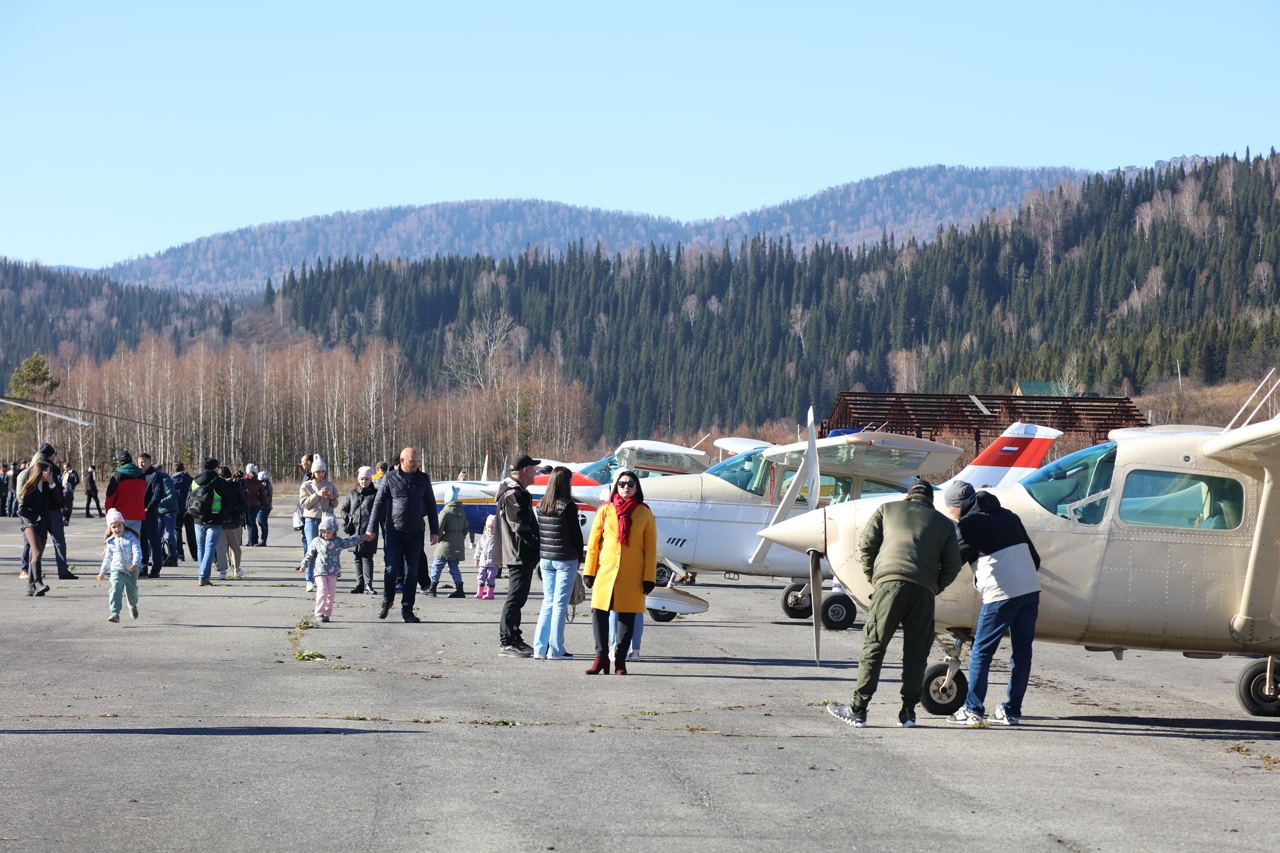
column 885, row 457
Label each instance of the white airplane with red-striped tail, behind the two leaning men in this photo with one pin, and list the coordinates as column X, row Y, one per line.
column 710, row 522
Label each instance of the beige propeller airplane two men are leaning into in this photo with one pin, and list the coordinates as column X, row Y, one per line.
column 1162, row 539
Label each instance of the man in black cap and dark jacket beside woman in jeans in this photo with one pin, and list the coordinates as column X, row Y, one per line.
column 518, row 548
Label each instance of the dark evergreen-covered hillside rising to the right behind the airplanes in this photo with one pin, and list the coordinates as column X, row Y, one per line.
column 1107, row 284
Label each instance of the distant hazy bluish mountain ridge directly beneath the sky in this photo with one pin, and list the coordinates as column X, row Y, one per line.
column 911, row 203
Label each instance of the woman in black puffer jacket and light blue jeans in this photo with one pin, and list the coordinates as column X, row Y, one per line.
column 561, row 537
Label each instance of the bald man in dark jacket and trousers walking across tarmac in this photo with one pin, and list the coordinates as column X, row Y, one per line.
column 405, row 499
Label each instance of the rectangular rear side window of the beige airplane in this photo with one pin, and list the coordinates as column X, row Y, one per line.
column 1182, row 500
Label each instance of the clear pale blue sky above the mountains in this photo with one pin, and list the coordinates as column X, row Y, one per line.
column 132, row 127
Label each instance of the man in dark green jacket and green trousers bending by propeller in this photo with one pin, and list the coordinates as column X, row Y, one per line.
column 911, row 554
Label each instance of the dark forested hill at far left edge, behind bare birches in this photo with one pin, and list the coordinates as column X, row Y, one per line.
column 65, row 313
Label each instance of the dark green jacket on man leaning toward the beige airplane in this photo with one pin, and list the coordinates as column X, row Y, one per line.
column 911, row 541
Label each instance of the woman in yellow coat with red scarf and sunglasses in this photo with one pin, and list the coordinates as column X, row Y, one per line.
column 621, row 568
